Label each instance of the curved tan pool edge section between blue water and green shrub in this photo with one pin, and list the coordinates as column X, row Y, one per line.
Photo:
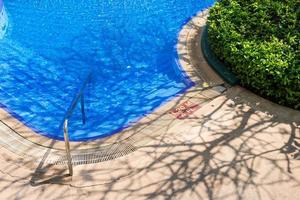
column 190, row 56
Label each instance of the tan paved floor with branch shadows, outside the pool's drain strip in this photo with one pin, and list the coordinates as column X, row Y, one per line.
column 238, row 146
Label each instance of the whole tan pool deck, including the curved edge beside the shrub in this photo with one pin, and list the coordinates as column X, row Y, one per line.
column 231, row 145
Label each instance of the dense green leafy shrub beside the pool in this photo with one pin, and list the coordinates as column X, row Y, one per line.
column 259, row 41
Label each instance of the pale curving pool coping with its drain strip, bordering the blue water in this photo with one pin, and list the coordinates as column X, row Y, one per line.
column 193, row 64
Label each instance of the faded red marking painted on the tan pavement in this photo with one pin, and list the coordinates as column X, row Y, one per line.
column 184, row 110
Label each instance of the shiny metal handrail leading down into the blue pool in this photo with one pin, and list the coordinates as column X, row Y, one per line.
column 79, row 96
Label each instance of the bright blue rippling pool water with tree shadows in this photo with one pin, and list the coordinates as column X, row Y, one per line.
column 129, row 46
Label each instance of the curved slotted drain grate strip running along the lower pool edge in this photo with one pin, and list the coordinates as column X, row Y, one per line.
column 143, row 134
